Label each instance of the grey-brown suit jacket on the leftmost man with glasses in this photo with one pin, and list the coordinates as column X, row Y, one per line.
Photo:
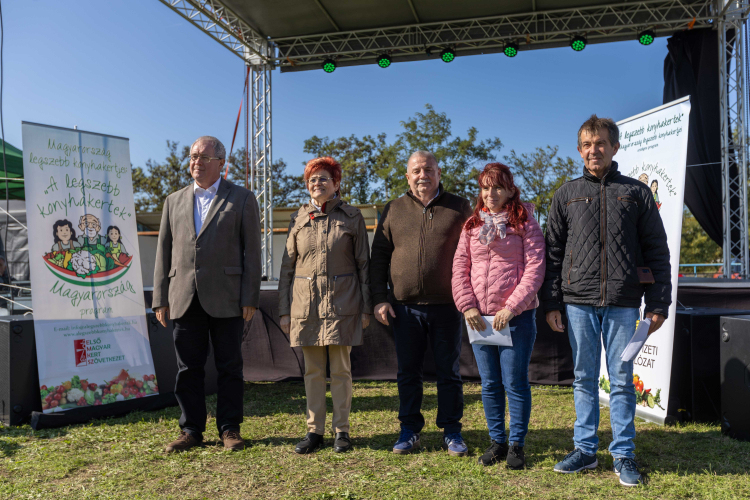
column 222, row 264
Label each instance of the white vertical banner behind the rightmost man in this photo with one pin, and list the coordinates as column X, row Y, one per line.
column 653, row 149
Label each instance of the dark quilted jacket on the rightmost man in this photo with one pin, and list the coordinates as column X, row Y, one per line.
column 598, row 233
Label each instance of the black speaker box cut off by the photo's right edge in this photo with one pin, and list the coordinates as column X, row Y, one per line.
column 735, row 377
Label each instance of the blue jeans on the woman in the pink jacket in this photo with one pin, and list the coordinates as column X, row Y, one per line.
column 506, row 370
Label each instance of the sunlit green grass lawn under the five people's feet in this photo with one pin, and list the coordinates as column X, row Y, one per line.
column 123, row 457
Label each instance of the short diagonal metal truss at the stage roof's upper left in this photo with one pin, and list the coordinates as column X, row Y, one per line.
column 220, row 23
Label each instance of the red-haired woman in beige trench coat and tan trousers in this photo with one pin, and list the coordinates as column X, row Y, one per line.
column 324, row 297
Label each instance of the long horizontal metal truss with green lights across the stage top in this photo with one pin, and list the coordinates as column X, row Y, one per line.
column 532, row 30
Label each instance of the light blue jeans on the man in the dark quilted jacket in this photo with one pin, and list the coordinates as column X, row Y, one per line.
column 588, row 327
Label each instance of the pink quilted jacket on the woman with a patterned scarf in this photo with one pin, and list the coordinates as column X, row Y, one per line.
column 507, row 273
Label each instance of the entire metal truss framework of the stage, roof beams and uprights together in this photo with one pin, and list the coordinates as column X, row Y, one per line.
column 531, row 30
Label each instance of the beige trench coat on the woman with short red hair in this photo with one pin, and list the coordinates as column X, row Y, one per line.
column 324, row 283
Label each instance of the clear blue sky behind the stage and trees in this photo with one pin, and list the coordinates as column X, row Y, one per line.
column 134, row 68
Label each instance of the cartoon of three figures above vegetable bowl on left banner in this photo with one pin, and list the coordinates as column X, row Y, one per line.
column 91, row 255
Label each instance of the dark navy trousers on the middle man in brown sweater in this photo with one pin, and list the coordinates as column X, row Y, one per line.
column 440, row 325
